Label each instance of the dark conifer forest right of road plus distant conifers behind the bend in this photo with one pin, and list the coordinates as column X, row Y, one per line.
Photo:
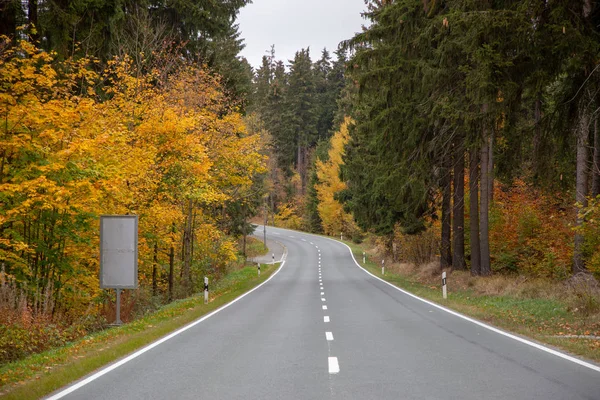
column 447, row 98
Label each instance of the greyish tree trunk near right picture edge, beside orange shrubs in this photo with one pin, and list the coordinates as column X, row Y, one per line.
column 581, row 185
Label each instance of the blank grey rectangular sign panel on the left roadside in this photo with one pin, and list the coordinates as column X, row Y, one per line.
column 118, row 251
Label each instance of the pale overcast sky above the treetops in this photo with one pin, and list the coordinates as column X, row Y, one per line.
column 295, row 24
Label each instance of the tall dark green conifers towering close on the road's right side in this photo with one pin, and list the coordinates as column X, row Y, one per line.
column 508, row 88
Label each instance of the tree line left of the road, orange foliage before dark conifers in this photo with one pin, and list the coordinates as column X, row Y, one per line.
column 128, row 108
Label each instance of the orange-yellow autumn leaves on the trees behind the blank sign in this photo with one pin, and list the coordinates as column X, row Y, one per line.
column 69, row 154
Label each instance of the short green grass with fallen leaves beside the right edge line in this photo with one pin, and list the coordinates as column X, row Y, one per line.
column 538, row 318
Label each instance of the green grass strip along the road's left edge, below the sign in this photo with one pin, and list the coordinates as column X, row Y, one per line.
column 41, row 374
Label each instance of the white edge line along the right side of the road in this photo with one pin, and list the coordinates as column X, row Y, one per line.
column 476, row 322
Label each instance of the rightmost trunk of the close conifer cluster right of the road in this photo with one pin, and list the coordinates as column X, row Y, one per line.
column 484, row 208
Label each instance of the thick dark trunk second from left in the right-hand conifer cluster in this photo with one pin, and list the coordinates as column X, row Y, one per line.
column 458, row 222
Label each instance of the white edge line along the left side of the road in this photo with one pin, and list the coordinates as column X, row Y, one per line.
column 138, row 353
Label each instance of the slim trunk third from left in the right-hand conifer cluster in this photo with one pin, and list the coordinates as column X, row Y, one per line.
column 474, row 212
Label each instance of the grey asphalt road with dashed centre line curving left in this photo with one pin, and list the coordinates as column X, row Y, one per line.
column 378, row 343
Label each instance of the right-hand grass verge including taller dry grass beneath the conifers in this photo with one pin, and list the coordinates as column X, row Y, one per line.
column 539, row 315
